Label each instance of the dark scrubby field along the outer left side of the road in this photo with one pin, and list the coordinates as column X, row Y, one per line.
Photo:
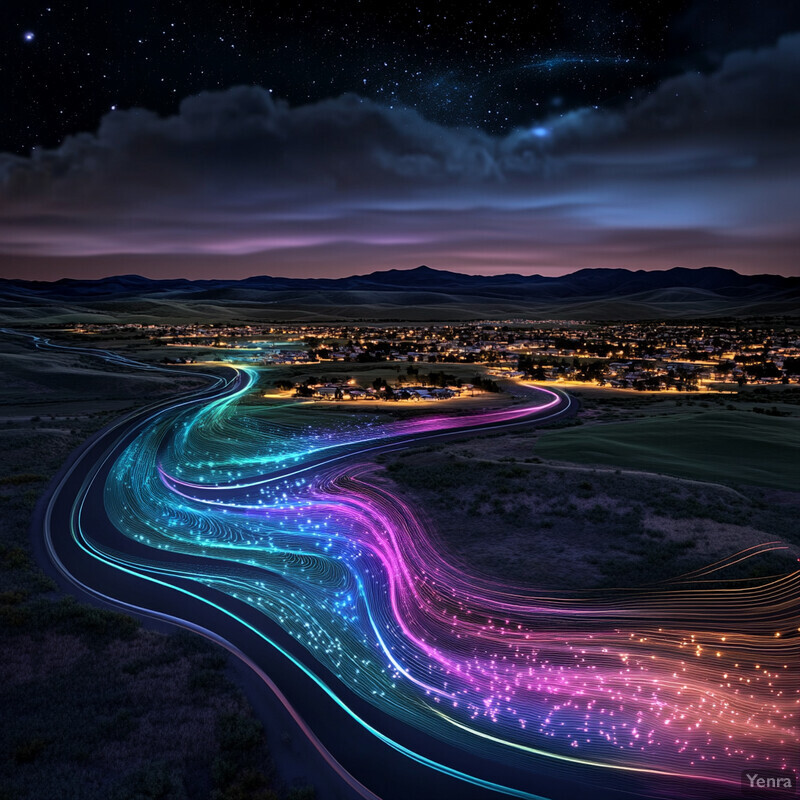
column 94, row 706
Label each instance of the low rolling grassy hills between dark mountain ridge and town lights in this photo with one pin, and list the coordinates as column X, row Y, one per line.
column 423, row 305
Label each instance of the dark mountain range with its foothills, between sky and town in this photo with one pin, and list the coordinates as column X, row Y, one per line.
column 414, row 294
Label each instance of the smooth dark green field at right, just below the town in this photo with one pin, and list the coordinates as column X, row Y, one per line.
column 731, row 447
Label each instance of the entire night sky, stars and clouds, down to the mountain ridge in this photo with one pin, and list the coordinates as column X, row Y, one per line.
column 205, row 139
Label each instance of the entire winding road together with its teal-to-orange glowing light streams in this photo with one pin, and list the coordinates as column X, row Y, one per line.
column 412, row 676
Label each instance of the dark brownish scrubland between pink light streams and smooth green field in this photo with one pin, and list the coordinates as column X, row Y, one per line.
column 563, row 527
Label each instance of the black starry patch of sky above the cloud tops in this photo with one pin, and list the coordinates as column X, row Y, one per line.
column 493, row 65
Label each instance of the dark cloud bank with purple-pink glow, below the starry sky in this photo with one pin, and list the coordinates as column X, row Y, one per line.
column 702, row 170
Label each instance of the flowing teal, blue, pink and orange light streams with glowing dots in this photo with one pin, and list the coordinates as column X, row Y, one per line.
column 291, row 520
